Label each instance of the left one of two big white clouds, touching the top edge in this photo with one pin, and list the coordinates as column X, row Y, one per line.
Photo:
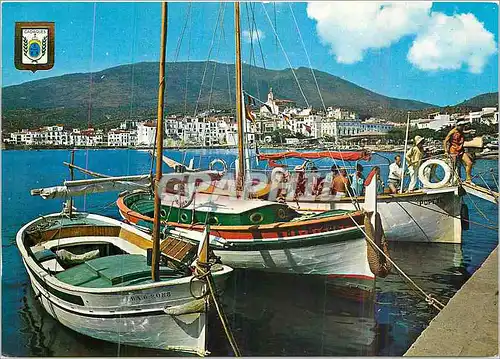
column 350, row 28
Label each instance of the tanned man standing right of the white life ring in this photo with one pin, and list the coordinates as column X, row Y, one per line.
column 454, row 147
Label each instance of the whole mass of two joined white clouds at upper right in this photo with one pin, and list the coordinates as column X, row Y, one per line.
column 350, row 28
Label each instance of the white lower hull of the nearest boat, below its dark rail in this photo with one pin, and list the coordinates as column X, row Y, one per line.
column 153, row 329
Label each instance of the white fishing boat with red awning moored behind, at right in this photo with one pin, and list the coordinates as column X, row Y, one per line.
column 426, row 215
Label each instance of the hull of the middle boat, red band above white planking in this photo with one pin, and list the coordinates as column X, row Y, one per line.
column 332, row 245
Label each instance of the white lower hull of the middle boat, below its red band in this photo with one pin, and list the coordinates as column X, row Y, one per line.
column 341, row 256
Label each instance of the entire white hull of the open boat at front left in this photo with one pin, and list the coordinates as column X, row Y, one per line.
column 130, row 315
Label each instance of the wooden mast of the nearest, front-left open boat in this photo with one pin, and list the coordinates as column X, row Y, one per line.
column 155, row 264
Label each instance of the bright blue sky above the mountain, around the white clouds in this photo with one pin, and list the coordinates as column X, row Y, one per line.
column 440, row 53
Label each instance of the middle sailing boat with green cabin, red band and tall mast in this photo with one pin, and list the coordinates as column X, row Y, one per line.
column 260, row 234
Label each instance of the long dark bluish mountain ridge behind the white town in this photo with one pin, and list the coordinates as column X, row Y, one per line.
column 131, row 90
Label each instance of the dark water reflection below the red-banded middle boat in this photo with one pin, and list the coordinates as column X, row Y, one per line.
column 286, row 314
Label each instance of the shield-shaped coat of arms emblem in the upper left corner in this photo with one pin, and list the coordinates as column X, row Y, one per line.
column 34, row 48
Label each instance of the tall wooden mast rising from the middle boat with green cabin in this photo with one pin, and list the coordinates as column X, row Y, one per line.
column 240, row 176
